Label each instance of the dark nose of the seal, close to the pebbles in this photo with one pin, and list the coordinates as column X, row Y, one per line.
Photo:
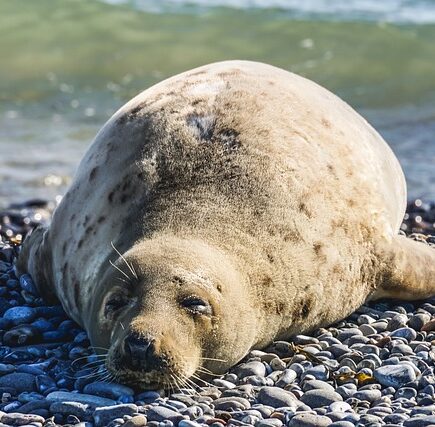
column 139, row 352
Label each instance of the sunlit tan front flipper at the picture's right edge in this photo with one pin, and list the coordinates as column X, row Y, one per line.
column 408, row 270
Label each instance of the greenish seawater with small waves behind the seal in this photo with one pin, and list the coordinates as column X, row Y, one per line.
column 67, row 65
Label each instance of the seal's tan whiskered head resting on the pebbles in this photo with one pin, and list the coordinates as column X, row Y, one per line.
column 170, row 311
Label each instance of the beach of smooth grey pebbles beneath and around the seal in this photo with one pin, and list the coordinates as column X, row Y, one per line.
column 374, row 368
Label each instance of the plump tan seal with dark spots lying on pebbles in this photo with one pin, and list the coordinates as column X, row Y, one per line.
column 222, row 209
